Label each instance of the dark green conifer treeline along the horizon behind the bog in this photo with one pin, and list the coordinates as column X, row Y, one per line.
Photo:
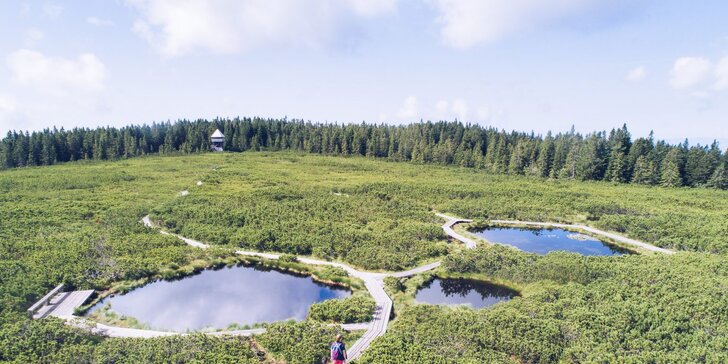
column 598, row 156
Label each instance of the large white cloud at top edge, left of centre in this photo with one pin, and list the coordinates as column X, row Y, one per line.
column 177, row 27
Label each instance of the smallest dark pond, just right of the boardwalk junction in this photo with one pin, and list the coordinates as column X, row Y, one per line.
column 477, row 294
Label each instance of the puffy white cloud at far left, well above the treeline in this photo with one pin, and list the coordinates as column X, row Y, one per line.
column 54, row 74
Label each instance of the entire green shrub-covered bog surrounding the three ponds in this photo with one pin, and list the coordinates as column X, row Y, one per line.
column 78, row 223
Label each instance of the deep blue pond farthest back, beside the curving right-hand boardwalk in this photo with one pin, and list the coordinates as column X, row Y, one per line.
column 543, row 241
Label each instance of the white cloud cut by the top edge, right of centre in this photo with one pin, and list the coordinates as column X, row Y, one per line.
column 466, row 23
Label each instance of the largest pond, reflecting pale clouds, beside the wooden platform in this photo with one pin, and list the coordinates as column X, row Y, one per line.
column 217, row 298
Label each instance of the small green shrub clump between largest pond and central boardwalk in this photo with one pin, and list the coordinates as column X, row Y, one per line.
column 357, row 308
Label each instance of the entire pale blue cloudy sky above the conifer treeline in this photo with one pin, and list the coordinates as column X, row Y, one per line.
column 514, row 64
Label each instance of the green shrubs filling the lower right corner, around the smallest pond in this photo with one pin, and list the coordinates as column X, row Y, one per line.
column 661, row 309
